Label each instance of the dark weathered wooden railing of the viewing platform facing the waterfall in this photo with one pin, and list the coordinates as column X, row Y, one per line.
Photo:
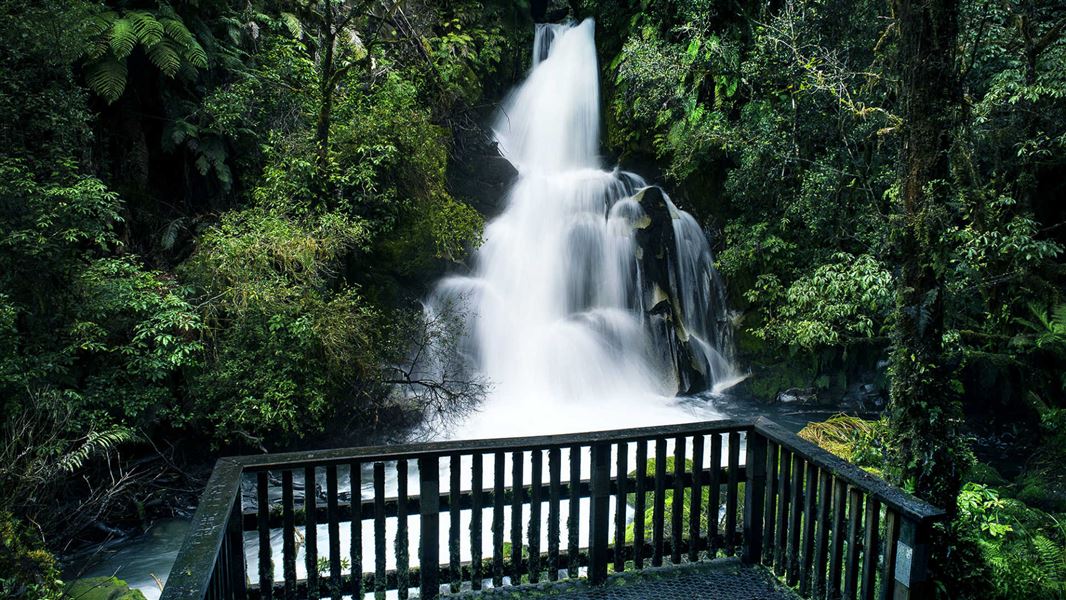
column 508, row 512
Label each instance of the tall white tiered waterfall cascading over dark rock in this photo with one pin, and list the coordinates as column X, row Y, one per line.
column 593, row 302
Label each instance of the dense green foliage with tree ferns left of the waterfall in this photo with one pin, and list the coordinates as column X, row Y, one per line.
column 215, row 218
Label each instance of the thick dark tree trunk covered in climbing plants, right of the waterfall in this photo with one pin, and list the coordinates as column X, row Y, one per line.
column 926, row 413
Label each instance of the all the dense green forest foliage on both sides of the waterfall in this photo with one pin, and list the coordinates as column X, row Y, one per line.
column 215, row 217
